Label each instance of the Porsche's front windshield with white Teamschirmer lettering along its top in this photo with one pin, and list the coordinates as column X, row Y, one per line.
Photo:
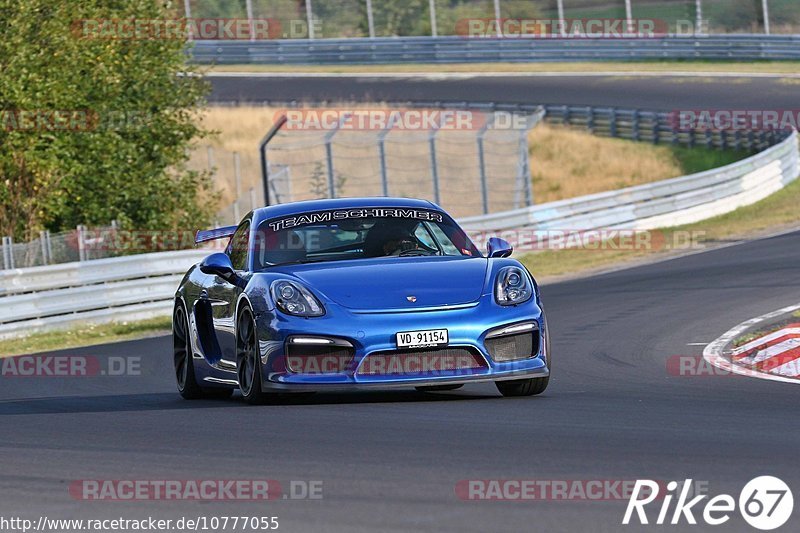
column 358, row 234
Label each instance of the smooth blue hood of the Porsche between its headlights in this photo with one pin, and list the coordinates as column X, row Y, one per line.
column 394, row 283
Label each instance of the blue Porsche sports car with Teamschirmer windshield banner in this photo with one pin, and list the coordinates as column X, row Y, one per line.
column 356, row 293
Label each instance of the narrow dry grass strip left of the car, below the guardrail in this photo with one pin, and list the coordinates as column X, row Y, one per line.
column 86, row 335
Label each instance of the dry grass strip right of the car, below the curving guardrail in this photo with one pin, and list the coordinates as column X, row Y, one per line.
column 775, row 212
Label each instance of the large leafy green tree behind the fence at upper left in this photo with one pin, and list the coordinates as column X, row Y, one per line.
column 128, row 111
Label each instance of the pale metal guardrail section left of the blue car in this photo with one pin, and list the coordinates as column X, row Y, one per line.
column 121, row 288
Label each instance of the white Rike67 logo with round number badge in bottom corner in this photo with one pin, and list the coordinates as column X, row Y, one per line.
column 765, row 503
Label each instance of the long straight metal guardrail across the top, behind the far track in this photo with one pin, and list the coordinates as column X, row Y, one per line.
column 451, row 49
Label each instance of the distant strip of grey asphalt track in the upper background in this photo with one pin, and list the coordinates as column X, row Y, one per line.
column 659, row 93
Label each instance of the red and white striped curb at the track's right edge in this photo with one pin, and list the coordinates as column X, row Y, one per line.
column 775, row 356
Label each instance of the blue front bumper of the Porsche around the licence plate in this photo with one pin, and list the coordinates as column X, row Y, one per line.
column 374, row 333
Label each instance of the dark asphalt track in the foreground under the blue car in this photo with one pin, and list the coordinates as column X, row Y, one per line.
column 391, row 461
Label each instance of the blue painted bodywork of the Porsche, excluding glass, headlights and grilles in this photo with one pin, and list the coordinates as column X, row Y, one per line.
column 365, row 304
